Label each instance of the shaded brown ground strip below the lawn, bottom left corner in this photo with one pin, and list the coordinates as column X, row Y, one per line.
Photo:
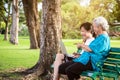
column 17, row 74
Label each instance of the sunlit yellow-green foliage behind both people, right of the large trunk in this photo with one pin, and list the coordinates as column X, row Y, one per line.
column 73, row 14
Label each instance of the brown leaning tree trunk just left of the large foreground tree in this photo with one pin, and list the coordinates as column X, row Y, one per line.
column 33, row 22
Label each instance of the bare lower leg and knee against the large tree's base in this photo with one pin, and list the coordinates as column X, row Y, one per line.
column 58, row 60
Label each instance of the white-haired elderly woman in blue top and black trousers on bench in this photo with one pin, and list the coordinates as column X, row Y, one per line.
column 94, row 53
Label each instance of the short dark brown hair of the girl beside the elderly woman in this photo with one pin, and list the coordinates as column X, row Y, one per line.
column 88, row 26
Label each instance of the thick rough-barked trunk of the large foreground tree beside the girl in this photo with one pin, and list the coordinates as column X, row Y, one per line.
column 50, row 37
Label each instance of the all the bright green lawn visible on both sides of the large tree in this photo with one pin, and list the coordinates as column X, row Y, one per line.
column 17, row 56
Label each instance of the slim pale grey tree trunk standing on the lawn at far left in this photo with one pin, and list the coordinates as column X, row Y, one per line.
column 15, row 20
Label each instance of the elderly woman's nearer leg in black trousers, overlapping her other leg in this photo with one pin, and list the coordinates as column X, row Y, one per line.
column 74, row 71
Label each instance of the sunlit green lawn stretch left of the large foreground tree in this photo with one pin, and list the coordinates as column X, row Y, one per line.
column 14, row 56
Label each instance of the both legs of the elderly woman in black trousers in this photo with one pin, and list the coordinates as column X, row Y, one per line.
column 73, row 69
